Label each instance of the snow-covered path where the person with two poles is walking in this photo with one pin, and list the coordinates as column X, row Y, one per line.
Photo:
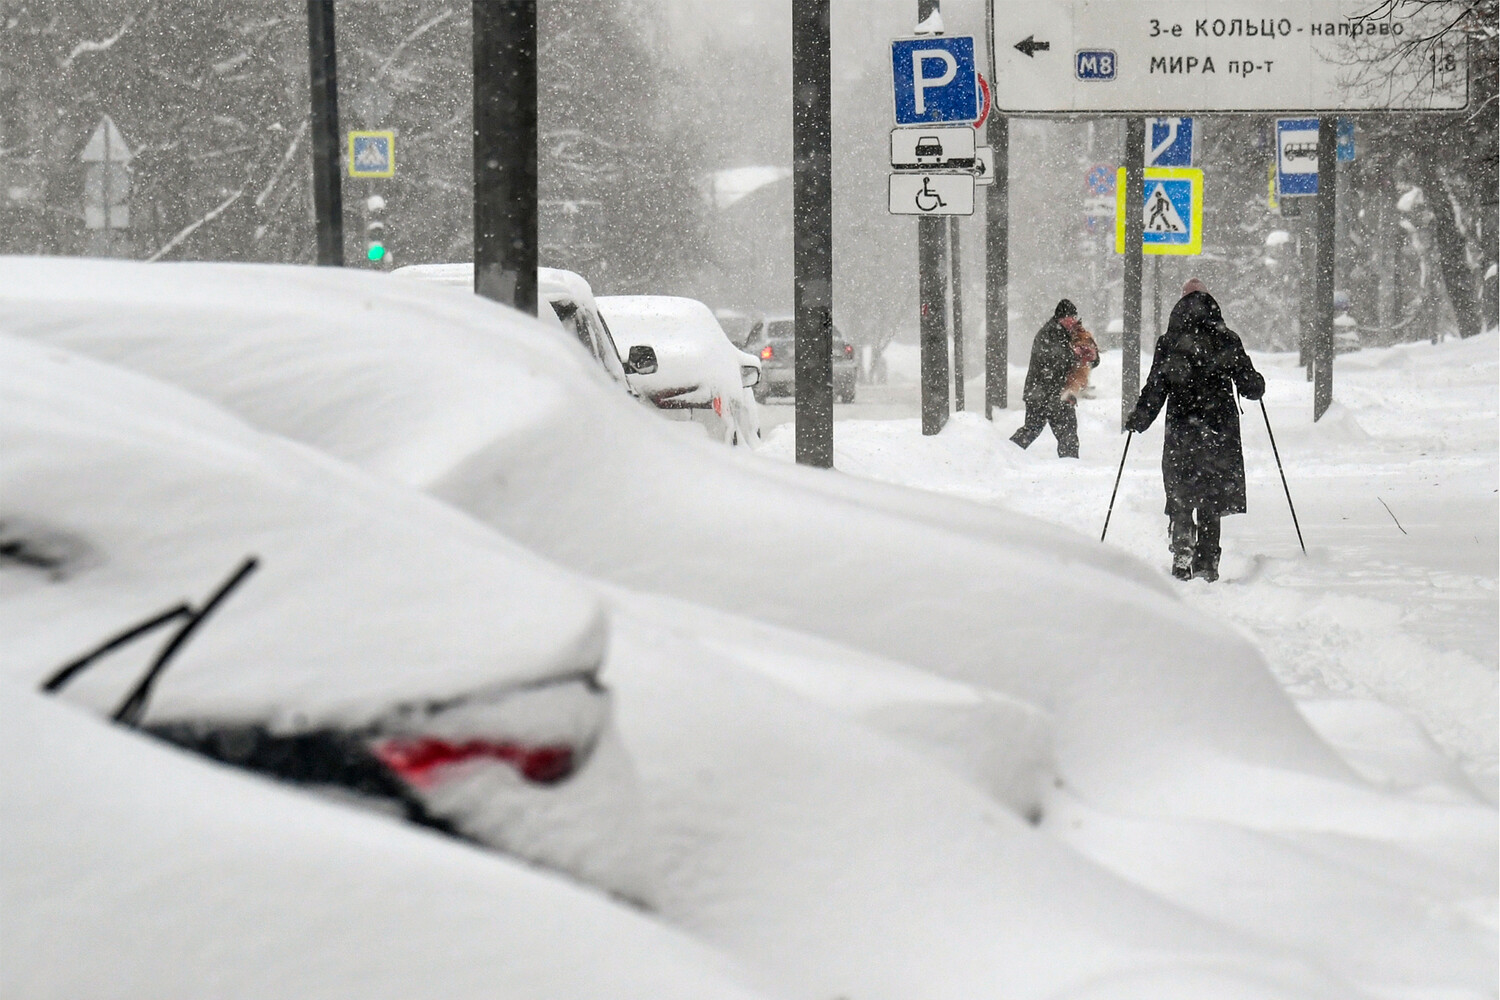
column 1391, row 618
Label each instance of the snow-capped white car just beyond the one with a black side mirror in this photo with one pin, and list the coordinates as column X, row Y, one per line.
column 700, row 373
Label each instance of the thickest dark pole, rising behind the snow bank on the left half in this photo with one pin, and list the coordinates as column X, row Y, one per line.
column 506, row 152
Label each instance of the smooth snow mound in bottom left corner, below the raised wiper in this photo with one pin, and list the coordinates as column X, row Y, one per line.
column 133, row 870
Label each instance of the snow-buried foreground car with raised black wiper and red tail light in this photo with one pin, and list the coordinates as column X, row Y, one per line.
column 274, row 609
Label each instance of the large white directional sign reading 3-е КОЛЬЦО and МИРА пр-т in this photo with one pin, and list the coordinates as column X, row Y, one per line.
column 1184, row 56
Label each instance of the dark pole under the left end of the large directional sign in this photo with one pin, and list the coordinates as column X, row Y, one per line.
column 997, row 248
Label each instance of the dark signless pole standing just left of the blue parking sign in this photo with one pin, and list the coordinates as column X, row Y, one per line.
column 814, row 232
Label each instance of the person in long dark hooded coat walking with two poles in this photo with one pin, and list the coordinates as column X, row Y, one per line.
column 1198, row 367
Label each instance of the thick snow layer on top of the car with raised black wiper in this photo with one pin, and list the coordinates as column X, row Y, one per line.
column 367, row 596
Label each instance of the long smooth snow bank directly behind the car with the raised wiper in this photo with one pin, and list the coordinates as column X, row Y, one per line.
column 566, row 464
